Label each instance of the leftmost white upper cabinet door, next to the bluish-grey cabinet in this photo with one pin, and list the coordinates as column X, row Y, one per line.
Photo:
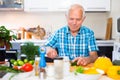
column 37, row 5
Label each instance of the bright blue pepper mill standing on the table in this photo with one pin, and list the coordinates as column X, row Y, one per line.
column 42, row 64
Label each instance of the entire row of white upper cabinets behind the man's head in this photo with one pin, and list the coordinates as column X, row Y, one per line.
column 62, row 5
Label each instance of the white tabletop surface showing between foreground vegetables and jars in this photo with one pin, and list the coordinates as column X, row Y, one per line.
column 32, row 76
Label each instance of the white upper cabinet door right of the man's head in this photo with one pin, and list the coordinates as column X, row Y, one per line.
column 97, row 5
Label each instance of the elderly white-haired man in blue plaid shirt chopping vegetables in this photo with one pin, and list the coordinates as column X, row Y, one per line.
column 74, row 39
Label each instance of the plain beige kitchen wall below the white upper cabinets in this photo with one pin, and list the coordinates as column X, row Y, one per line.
column 53, row 20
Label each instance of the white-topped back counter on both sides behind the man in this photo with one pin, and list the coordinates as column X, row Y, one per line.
column 105, row 46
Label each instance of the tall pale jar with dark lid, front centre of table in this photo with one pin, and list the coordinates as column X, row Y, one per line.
column 58, row 67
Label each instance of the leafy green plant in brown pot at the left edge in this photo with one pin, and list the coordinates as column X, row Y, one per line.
column 6, row 37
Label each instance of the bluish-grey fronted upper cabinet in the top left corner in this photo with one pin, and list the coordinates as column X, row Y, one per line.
column 11, row 5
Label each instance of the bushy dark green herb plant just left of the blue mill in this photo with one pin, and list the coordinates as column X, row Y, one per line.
column 30, row 50
